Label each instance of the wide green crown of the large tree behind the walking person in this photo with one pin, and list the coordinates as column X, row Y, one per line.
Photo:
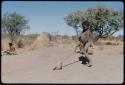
column 103, row 21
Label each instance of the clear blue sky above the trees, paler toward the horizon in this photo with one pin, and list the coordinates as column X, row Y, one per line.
column 48, row 16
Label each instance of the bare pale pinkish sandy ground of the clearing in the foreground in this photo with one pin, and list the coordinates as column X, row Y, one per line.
column 36, row 67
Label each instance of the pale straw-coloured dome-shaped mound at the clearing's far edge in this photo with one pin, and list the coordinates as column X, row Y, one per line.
column 42, row 41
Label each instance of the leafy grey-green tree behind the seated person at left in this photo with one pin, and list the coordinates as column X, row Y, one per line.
column 14, row 24
